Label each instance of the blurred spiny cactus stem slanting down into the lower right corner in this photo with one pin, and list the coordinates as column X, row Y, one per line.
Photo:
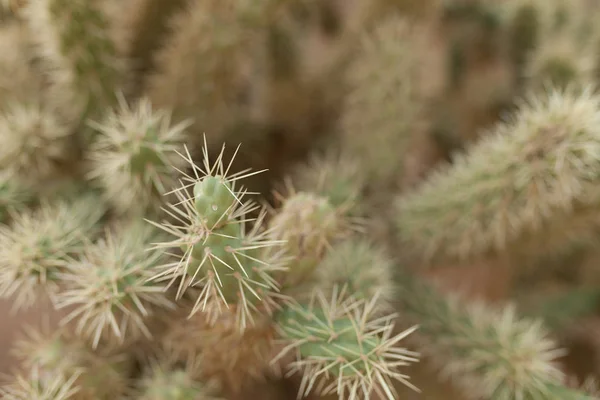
column 491, row 353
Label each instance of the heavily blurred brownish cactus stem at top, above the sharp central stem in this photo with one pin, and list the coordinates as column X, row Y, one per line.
column 202, row 70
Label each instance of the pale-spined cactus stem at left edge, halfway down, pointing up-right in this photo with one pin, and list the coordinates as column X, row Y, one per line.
column 39, row 244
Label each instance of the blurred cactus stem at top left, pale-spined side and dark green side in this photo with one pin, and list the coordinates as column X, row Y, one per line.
column 72, row 37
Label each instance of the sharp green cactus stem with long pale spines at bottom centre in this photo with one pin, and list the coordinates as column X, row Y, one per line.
column 343, row 348
